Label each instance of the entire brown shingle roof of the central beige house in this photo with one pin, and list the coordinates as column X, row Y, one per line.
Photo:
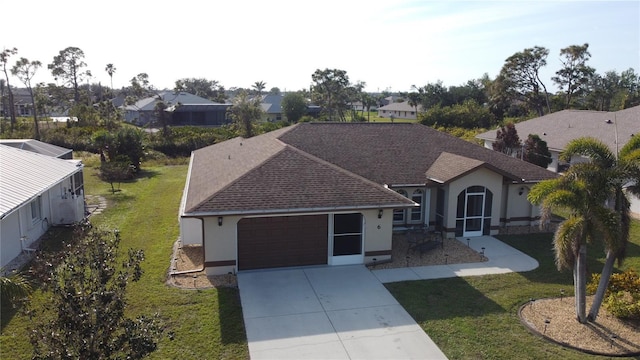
column 334, row 165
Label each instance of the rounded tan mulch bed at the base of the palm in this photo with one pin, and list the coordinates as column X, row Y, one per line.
column 555, row 320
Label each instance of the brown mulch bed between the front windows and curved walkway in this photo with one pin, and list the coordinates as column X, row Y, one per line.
column 451, row 251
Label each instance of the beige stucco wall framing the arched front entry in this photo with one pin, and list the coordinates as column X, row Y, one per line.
column 480, row 177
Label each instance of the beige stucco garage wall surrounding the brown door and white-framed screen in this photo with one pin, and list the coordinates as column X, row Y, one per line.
column 221, row 241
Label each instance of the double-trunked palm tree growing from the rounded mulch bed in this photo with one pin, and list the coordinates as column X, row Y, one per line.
column 599, row 210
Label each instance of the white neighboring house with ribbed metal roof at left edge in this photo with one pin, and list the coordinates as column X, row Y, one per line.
column 36, row 192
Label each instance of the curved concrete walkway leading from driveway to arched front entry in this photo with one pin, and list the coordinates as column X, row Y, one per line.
column 502, row 259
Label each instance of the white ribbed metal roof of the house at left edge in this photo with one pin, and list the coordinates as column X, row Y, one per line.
column 25, row 175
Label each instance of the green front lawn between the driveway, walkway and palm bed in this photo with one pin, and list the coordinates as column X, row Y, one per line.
column 476, row 317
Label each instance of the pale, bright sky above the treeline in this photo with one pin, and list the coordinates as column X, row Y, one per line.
column 388, row 44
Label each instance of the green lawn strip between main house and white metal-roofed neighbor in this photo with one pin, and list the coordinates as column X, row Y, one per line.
column 206, row 323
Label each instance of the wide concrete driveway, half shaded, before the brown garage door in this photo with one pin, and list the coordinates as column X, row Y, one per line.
column 339, row 312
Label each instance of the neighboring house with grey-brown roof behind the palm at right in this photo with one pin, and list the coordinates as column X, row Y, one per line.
column 559, row 128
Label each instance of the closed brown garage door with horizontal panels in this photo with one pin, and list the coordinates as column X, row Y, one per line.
column 282, row 241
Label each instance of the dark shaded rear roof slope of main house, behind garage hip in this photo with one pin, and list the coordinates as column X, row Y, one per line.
column 396, row 154
